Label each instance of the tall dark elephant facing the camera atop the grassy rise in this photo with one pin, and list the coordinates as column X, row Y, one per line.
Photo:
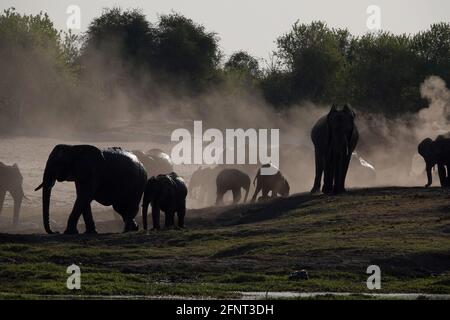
column 335, row 137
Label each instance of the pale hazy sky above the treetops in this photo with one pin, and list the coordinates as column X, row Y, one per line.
column 253, row 25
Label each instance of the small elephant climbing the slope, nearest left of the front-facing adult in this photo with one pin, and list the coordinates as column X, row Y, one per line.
column 276, row 183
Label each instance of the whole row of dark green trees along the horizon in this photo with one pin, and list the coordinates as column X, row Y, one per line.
column 379, row 72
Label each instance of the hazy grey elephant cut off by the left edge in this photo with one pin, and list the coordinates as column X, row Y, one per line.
column 11, row 181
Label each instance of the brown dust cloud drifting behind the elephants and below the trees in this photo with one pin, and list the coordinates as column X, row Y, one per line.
column 108, row 107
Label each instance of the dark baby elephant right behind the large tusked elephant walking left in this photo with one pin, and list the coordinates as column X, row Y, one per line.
column 166, row 192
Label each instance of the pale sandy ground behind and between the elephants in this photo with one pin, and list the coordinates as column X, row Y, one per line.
column 31, row 153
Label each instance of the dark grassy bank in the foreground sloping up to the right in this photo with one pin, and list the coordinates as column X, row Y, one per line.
column 406, row 231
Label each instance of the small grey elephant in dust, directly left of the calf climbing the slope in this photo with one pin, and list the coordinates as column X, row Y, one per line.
column 234, row 180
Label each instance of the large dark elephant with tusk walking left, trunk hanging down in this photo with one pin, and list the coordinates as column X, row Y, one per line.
column 110, row 176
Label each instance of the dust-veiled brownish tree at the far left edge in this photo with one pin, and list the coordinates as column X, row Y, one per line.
column 35, row 68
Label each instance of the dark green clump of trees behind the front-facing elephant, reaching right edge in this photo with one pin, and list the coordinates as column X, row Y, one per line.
column 378, row 72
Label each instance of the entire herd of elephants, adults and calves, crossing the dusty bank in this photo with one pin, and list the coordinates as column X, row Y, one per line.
column 119, row 178
